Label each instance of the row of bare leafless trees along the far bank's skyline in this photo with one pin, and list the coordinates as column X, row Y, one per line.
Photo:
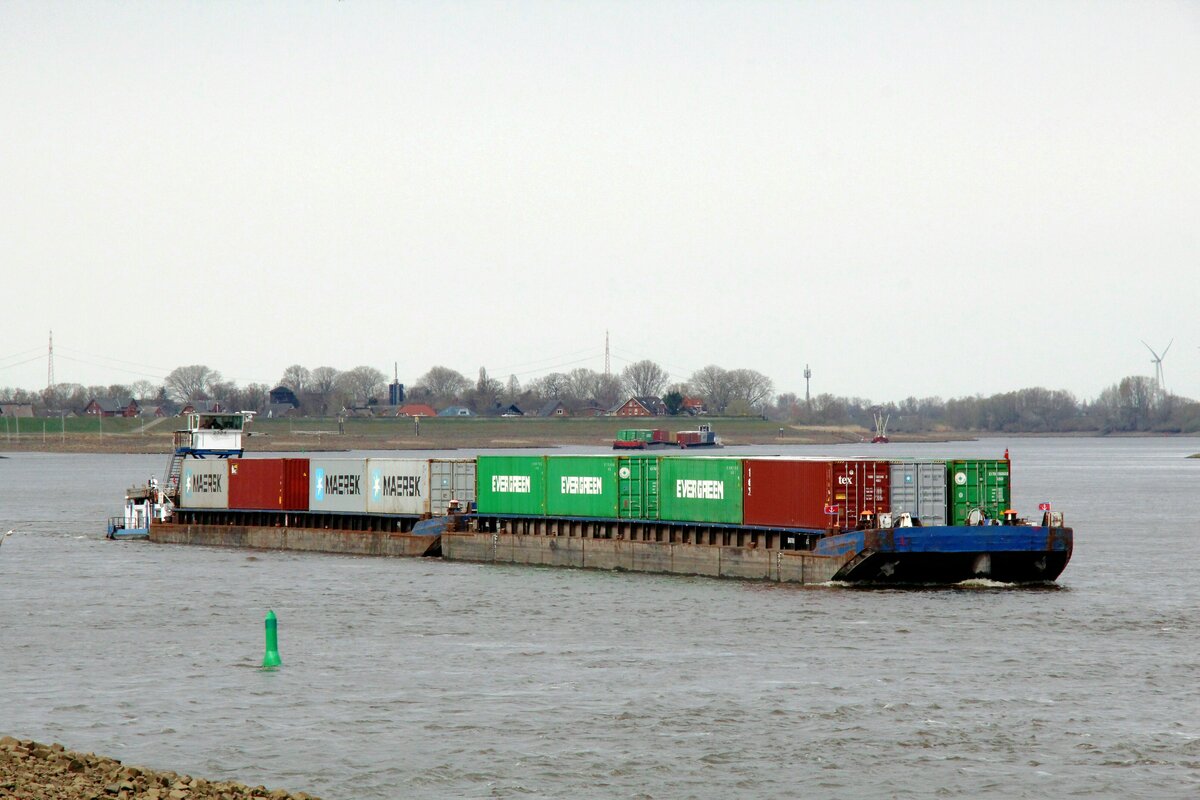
column 1132, row 405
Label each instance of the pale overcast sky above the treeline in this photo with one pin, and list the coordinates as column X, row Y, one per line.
column 913, row 199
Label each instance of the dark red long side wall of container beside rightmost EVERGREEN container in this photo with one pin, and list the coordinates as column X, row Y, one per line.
column 787, row 494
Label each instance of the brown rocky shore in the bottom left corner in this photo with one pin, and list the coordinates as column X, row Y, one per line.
column 34, row 772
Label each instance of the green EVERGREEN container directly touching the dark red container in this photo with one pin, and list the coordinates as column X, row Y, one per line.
column 701, row 490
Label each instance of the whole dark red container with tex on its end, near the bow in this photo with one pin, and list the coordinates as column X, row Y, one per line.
column 783, row 494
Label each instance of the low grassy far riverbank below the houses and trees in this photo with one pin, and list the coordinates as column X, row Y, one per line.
column 129, row 436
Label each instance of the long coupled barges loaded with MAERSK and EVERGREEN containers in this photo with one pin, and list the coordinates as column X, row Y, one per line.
column 794, row 520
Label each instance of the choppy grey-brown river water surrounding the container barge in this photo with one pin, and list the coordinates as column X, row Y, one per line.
column 427, row 679
